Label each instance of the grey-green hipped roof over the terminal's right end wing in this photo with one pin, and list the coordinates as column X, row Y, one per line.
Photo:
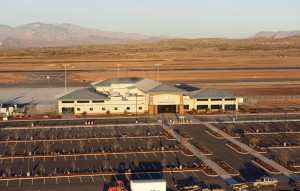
column 210, row 93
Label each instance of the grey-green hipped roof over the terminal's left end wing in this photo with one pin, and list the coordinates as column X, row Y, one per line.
column 83, row 94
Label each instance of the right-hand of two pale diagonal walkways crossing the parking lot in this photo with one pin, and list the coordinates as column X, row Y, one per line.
column 254, row 153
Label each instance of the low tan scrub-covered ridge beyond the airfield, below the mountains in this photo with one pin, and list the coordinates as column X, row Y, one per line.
column 172, row 49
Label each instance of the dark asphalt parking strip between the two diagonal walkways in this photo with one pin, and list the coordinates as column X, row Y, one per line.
column 241, row 162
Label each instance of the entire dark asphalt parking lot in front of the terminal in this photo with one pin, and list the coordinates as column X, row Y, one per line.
column 91, row 155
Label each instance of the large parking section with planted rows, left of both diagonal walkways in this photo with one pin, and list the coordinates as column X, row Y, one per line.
column 92, row 157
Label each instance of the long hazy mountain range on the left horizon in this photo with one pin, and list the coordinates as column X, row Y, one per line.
column 47, row 35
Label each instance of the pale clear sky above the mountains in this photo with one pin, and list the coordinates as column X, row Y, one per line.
column 174, row 18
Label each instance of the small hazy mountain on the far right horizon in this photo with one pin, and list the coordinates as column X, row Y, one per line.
column 277, row 34
